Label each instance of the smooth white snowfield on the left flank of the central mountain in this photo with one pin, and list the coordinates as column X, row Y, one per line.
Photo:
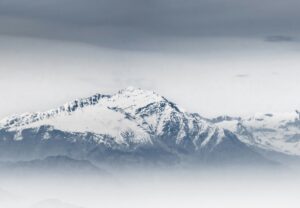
column 94, row 114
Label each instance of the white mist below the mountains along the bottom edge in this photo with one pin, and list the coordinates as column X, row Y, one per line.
column 234, row 188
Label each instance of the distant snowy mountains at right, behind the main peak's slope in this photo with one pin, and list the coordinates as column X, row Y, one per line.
column 271, row 131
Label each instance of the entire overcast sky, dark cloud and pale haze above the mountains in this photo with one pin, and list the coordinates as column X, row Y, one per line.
column 210, row 56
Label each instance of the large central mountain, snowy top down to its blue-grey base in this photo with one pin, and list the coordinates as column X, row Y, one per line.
column 132, row 126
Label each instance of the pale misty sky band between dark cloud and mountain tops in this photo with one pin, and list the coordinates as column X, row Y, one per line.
column 47, row 74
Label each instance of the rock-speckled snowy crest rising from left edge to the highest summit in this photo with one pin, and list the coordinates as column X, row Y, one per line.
column 129, row 99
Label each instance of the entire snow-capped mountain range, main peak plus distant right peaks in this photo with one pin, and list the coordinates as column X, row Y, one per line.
column 140, row 127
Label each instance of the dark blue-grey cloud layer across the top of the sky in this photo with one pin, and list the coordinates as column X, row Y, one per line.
column 124, row 22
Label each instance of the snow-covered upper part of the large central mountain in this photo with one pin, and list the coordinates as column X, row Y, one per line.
column 144, row 113
